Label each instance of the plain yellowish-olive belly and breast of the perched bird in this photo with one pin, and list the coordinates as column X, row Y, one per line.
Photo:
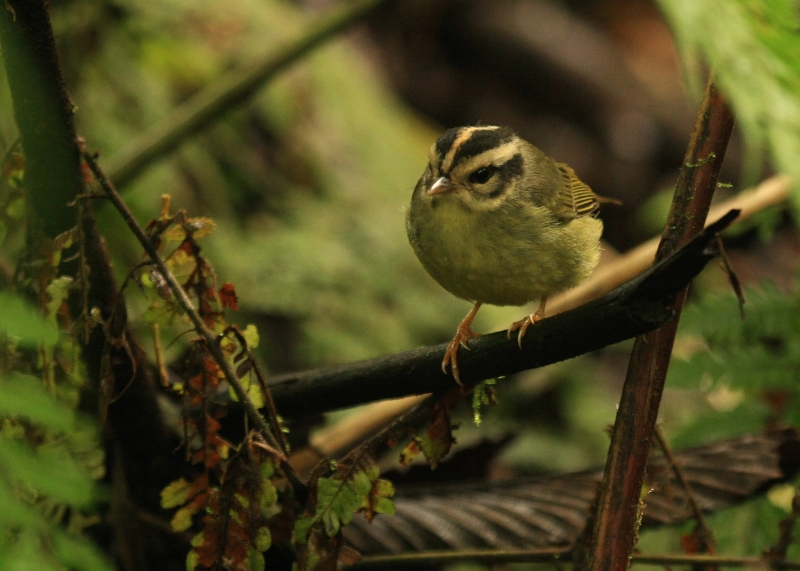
column 505, row 259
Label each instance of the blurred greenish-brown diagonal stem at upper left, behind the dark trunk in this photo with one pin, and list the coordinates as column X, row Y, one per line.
column 228, row 92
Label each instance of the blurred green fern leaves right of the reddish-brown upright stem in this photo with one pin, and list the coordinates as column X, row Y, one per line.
column 747, row 370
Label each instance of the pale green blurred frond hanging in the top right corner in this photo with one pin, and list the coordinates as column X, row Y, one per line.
column 754, row 47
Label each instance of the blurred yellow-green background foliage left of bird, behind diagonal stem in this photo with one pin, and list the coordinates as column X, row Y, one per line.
column 311, row 222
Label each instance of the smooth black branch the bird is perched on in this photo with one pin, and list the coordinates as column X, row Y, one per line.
column 639, row 306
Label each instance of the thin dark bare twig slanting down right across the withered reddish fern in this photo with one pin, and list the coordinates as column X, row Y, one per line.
column 205, row 334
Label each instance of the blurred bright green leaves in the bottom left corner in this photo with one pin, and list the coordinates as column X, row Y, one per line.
column 48, row 463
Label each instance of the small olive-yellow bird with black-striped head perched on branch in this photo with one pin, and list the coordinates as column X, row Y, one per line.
column 495, row 220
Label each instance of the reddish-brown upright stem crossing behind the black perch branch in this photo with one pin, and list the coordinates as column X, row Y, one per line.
column 618, row 505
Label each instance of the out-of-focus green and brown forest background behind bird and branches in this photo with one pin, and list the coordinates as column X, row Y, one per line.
column 309, row 179
